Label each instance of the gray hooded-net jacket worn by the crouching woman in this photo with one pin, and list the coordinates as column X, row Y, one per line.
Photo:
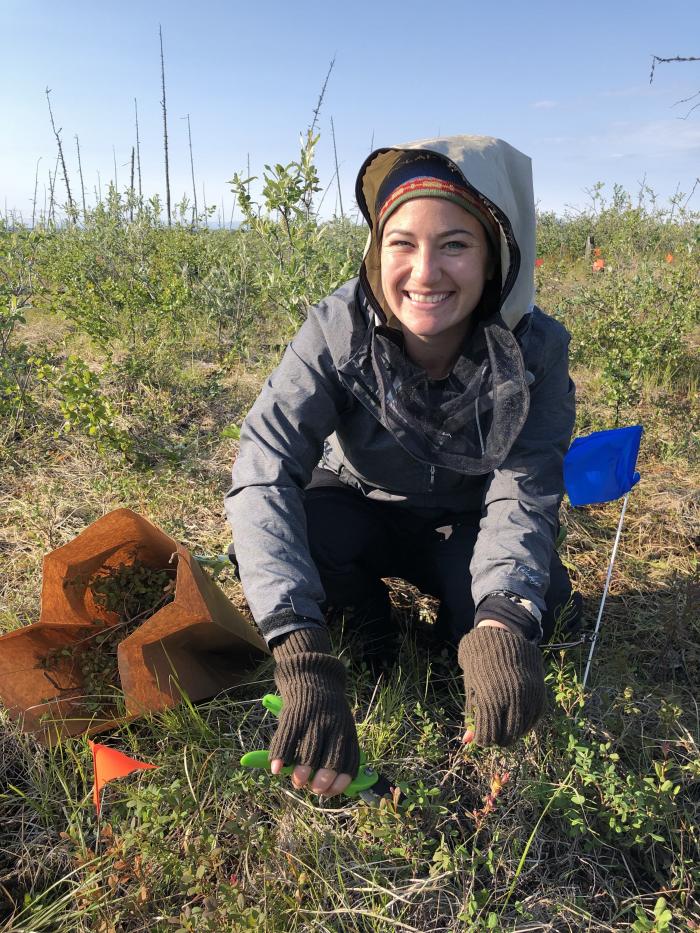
column 316, row 409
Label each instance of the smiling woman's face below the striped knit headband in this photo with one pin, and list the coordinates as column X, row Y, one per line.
column 435, row 261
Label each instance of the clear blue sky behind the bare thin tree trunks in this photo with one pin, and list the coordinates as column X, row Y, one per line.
column 566, row 83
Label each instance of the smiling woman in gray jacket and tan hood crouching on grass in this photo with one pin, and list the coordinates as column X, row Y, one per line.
column 415, row 427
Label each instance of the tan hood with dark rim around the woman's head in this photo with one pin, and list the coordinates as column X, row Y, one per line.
column 501, row 177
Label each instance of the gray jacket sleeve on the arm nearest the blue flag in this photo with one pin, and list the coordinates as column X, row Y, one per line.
column 520, row 513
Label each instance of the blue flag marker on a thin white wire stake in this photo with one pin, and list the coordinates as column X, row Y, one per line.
column 600, row 468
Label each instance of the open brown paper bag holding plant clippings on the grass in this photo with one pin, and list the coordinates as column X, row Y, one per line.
column 198, row 644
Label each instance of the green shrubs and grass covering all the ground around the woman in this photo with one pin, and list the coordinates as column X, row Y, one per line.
column 129, row 354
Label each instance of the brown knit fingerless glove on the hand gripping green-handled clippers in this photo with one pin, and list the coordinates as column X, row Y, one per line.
column 316, row 727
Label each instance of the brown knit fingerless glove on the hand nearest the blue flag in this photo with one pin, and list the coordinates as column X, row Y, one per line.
column 503, row 684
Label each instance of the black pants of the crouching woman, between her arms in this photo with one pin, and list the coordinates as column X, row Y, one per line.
column 355, row 541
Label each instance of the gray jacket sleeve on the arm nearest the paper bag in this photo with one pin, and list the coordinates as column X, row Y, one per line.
column 281, row 443
